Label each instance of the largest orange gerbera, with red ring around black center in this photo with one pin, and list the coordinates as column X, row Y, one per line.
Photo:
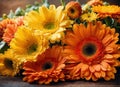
column 91, row 52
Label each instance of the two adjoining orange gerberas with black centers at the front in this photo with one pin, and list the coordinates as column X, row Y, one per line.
column 90, row 53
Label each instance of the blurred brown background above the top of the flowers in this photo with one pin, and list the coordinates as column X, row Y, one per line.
column 7, row 5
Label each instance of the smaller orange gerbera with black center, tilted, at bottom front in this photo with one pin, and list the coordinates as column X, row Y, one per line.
column 47, row 68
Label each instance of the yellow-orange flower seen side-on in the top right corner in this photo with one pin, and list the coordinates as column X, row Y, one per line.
column 110, row 10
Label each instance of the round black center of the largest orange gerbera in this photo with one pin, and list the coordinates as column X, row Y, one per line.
column 89, row 49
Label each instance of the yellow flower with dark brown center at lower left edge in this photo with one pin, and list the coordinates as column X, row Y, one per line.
column 9, row 65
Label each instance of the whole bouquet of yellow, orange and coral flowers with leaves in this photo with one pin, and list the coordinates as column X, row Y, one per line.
column 44, row 43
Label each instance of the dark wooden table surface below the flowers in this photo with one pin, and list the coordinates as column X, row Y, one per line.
column 17, row 82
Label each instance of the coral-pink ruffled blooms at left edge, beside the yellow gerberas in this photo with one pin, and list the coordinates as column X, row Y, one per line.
column 9, row 27
